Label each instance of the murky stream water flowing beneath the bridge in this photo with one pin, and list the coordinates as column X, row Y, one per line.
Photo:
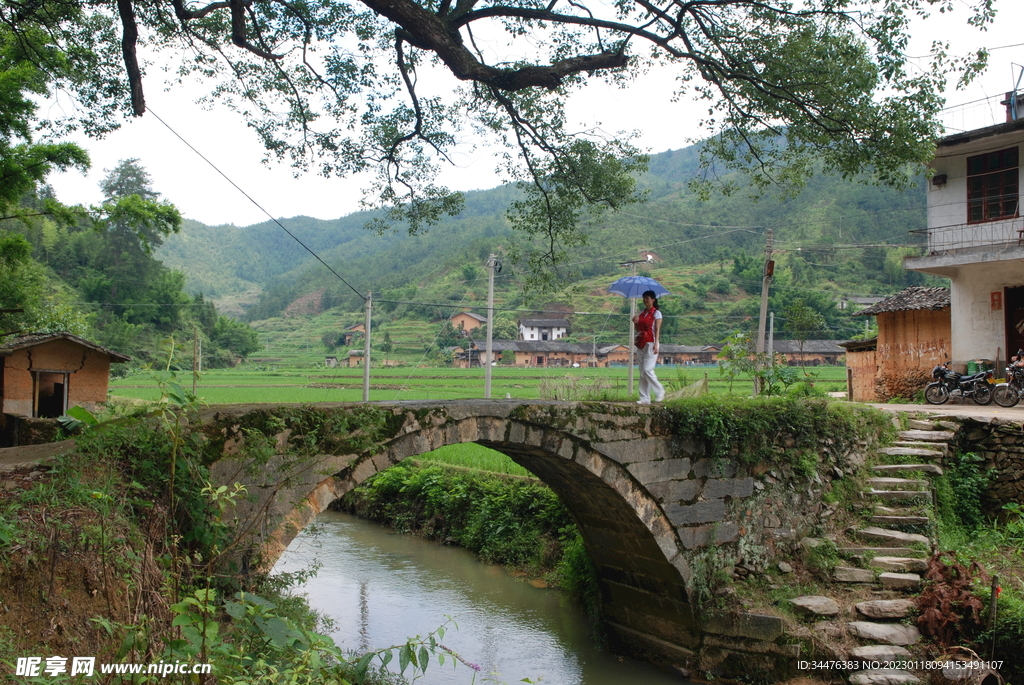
column 381, row 588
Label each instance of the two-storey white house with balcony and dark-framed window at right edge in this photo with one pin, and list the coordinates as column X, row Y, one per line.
column 976, row 236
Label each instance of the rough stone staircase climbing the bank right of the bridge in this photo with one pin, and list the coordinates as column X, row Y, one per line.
column 889, row 550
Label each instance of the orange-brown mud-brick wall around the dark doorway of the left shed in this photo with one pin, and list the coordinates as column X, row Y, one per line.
column 87, row 387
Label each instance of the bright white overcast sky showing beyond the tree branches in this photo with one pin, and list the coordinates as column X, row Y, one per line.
column 204, row 195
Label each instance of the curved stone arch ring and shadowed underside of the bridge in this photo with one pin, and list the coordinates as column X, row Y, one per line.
column 643, row 574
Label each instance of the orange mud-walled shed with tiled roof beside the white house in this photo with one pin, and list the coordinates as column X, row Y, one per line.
column 915, row 335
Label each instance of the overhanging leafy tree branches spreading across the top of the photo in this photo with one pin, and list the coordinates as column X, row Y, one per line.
column 346, row 87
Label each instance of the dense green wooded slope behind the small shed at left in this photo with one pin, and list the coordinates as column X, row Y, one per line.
column 92, row 273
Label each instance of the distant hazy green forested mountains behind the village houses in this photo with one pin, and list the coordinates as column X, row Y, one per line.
column 835, row 240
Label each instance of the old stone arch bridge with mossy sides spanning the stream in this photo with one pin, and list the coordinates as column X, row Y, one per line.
column 659, row 517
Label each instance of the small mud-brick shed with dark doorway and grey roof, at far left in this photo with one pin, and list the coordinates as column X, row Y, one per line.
column 46, row 374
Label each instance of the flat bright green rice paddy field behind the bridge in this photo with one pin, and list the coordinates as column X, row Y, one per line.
column 252, row 383
